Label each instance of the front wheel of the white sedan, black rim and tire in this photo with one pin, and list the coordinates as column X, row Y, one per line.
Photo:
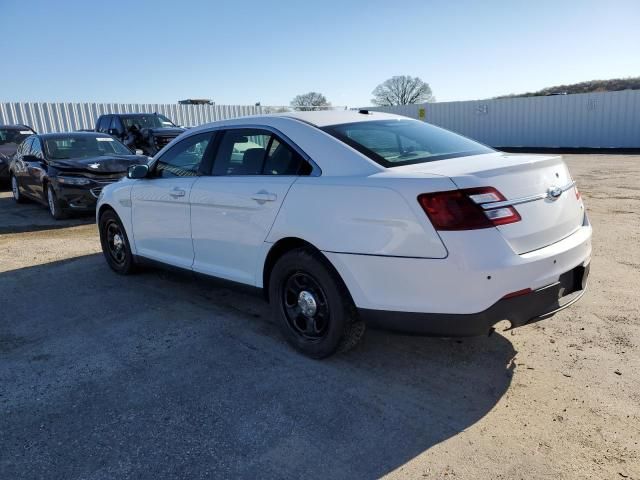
column 115, row 243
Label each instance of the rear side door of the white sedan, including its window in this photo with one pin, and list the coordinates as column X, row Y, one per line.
column 233, row 210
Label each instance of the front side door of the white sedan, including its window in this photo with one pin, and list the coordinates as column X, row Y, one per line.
column 160, row 203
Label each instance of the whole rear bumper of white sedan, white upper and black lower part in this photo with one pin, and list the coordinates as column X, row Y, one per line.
column 469, row 285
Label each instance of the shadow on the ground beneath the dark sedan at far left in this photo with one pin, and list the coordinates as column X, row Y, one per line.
column 32, row 217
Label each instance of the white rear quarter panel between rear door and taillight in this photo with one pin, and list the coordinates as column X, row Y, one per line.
column 362, row 215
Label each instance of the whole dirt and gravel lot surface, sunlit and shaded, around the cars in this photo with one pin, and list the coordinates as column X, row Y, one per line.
column 158, row 375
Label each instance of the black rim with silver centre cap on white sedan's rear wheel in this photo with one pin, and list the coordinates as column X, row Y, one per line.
column 305, row 306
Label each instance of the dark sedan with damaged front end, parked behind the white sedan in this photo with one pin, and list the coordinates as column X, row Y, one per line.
column 67, row 171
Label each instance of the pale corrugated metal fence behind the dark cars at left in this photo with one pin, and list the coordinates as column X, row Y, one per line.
column 65, row 117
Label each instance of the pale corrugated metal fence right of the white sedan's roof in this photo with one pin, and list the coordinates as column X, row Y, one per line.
column 587, row 120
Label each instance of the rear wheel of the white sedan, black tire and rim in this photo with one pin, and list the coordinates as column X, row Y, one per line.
column 312, row 305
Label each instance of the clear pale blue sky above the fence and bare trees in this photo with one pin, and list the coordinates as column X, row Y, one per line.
column 247, row 51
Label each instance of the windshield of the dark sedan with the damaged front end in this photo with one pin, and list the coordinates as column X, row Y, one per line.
column 63, row 148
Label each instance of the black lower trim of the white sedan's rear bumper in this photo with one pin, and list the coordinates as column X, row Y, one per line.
column 521, row 310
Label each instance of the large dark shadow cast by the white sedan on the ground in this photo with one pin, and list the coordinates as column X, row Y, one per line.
column 162, row 375
